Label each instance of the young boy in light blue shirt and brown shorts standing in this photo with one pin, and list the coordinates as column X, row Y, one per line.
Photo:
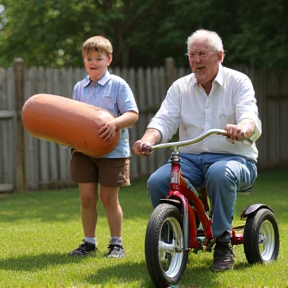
column 112, row 170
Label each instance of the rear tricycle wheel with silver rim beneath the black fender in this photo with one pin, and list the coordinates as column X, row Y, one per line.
column 261, row 237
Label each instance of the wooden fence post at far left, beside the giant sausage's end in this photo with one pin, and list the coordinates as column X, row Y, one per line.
column 19, row 88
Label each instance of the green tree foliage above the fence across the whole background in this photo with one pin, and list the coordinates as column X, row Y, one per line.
column 49, row 33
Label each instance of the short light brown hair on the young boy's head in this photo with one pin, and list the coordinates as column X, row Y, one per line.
column 98, row 44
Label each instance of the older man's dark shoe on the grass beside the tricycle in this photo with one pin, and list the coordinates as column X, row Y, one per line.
column 223, row 255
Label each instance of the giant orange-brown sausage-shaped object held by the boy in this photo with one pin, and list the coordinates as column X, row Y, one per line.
column 68, row 122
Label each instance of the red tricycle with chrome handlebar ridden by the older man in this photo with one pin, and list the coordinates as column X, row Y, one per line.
column 182, row 222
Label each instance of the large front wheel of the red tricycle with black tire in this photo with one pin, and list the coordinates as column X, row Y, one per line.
column 164, row 246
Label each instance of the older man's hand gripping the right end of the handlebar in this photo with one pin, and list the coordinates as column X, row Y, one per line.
column 242, row 131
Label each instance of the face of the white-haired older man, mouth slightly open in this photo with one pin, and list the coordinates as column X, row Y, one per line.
column 204, row 61
